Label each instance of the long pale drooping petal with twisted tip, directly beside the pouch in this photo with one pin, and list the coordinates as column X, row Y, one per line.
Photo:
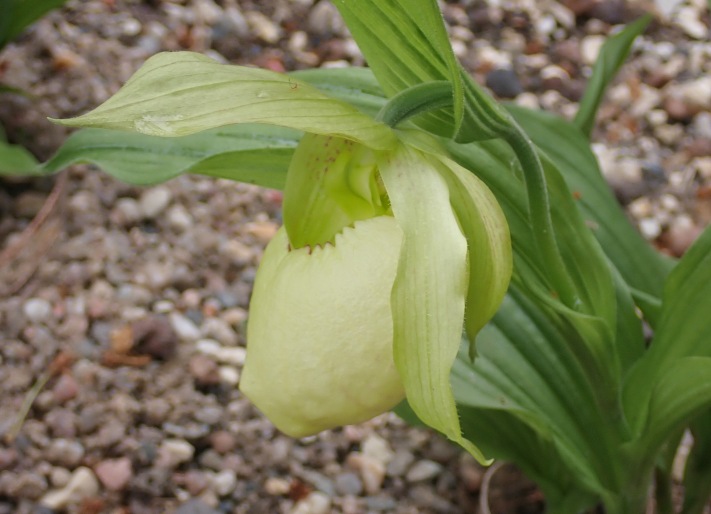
column 430, row 289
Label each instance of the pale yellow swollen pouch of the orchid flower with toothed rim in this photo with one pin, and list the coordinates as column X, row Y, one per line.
column 319, row 336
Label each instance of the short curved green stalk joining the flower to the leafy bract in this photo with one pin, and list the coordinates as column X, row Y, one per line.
column 415, row 100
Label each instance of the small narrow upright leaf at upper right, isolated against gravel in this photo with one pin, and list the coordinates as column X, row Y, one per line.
column 612, row 54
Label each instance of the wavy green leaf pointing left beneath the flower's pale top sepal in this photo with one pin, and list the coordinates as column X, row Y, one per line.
column 256, row 154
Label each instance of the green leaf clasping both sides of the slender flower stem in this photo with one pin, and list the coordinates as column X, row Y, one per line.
column 590, row 329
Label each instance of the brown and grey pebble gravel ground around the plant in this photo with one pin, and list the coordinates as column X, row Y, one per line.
column 123, row 309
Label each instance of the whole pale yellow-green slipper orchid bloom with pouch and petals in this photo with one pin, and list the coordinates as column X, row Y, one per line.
column 388, row 247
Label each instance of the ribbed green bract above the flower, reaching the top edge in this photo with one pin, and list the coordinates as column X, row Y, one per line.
column 406, row 44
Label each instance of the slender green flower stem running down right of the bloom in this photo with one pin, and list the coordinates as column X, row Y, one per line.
column 540, row 214
